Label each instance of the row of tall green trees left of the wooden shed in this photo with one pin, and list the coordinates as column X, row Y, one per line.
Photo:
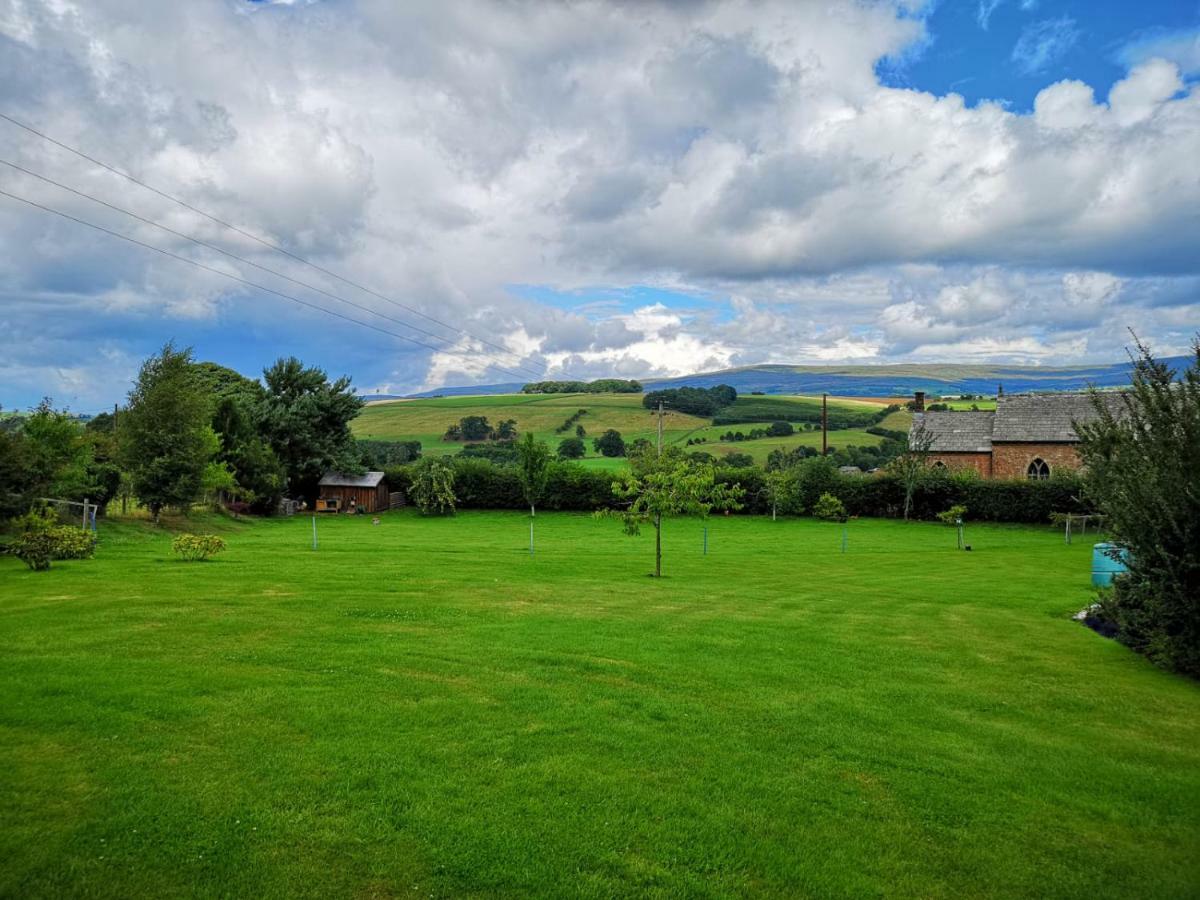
column 189, row 431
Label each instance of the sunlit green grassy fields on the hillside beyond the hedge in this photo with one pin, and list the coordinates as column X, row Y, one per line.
column 427, row 421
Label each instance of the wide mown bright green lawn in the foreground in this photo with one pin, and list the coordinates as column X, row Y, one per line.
column 423, row 709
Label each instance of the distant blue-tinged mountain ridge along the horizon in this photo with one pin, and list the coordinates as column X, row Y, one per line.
column 880, row 381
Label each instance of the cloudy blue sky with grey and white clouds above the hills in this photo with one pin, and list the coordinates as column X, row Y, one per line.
column 593, row 189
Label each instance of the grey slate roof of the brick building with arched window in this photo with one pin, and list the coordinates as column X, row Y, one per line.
column 1019, row 418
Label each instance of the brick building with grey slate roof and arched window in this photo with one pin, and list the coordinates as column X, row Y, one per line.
column 1029, row 436
